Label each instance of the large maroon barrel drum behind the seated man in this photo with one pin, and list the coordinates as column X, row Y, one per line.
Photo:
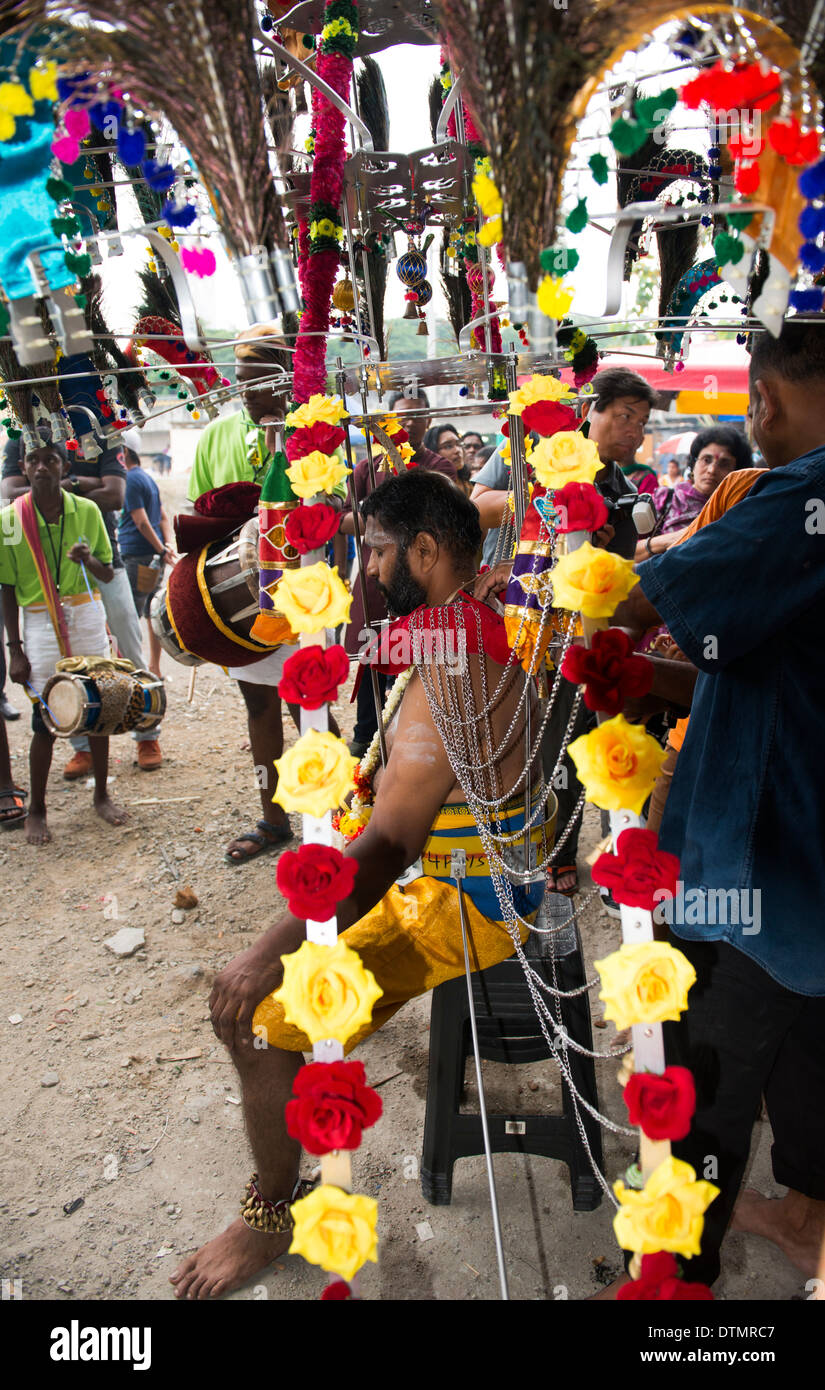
column 209, row 608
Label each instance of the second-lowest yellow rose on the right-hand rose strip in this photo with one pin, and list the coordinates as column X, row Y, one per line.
column 645, row 982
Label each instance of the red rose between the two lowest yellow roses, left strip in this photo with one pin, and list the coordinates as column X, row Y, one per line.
column 333, row 1106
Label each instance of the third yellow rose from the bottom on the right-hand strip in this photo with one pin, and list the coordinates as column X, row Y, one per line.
column 617, row 764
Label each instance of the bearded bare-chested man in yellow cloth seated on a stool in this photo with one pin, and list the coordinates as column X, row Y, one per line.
column 424, row 539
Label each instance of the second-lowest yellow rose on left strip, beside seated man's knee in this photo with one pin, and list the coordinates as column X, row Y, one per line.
column 327, row 993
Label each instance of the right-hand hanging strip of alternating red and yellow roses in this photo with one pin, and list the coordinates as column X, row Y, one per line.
column 645, row 982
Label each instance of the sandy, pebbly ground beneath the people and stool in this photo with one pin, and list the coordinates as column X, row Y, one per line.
column 144, row 1124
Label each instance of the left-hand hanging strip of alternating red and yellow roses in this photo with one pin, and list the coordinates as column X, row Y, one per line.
column 327, row 992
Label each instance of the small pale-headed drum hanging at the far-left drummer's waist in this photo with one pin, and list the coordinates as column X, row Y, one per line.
column 103, row 704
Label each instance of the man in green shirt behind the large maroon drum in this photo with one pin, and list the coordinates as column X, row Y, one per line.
column 235, row 450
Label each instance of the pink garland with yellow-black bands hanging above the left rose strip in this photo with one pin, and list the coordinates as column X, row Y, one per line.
column 320, row 243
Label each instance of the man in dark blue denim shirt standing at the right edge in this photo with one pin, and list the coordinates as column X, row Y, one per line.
column 745, row 600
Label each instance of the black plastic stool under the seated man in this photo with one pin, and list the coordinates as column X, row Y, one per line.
column 509, row 1032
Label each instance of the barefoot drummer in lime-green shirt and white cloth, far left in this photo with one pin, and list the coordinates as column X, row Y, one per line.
column 55, row 546
